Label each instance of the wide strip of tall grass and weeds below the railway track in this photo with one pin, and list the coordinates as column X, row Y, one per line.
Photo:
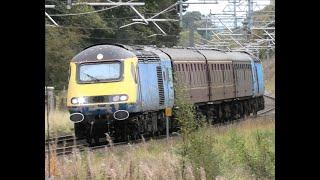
column 237, row 151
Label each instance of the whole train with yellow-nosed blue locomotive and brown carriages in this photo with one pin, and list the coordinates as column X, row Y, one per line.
column 128, row 91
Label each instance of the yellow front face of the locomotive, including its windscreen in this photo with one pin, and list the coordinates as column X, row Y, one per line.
column 91, row 83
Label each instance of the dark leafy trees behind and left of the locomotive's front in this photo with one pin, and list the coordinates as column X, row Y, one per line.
column 79, row 31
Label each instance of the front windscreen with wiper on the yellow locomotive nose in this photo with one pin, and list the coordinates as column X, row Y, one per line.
column 99, row 72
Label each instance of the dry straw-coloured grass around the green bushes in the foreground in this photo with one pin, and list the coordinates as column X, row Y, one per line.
column 157, row 159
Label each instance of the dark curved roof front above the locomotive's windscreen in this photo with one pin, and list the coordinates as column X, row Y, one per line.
column 109, row 52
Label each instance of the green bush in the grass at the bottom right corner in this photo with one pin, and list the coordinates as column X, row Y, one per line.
column 258, row 156
